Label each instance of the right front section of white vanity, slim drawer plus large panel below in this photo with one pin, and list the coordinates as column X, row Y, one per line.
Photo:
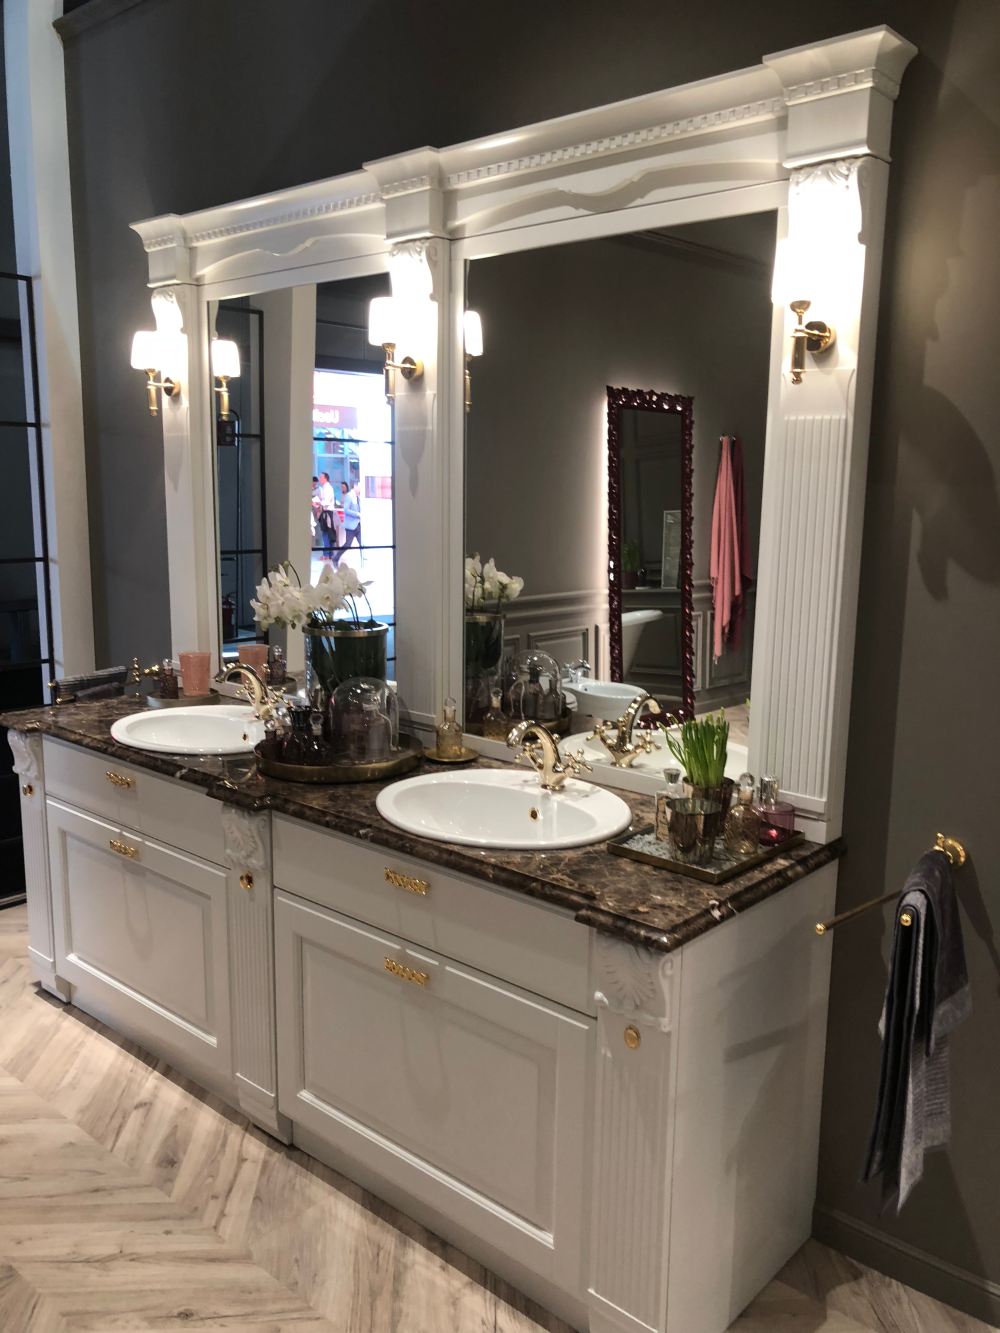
column 439, row 1079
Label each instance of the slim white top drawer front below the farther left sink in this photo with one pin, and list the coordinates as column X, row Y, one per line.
column 137, row 799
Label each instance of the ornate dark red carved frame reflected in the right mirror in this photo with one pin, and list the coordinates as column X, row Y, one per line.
column 649, row 401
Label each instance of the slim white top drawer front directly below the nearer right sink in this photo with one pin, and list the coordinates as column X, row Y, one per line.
column 531, row 944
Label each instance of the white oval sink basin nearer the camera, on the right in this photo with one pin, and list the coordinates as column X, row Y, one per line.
column 495, row 808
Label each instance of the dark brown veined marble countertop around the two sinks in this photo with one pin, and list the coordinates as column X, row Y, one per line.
column 641, row 903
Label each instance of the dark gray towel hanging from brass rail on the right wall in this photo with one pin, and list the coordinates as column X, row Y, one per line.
column 926, row 999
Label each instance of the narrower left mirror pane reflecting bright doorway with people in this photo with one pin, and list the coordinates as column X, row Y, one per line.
column 305, row 451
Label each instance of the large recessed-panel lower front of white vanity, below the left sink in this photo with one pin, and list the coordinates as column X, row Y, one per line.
column 142, row 935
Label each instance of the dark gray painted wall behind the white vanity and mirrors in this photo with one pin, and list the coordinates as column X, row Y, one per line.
column 179, row 105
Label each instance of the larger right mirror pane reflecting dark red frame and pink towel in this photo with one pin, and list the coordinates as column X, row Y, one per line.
column 615, row 549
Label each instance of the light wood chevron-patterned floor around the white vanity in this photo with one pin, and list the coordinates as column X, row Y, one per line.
column 131, row 1200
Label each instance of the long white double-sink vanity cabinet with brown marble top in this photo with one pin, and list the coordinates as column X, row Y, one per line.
column 601, row 1079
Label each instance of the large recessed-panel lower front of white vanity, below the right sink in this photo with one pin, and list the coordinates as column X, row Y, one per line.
column 465, row 1092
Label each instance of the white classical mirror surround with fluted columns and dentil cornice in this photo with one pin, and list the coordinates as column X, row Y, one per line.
column 806, row 131
